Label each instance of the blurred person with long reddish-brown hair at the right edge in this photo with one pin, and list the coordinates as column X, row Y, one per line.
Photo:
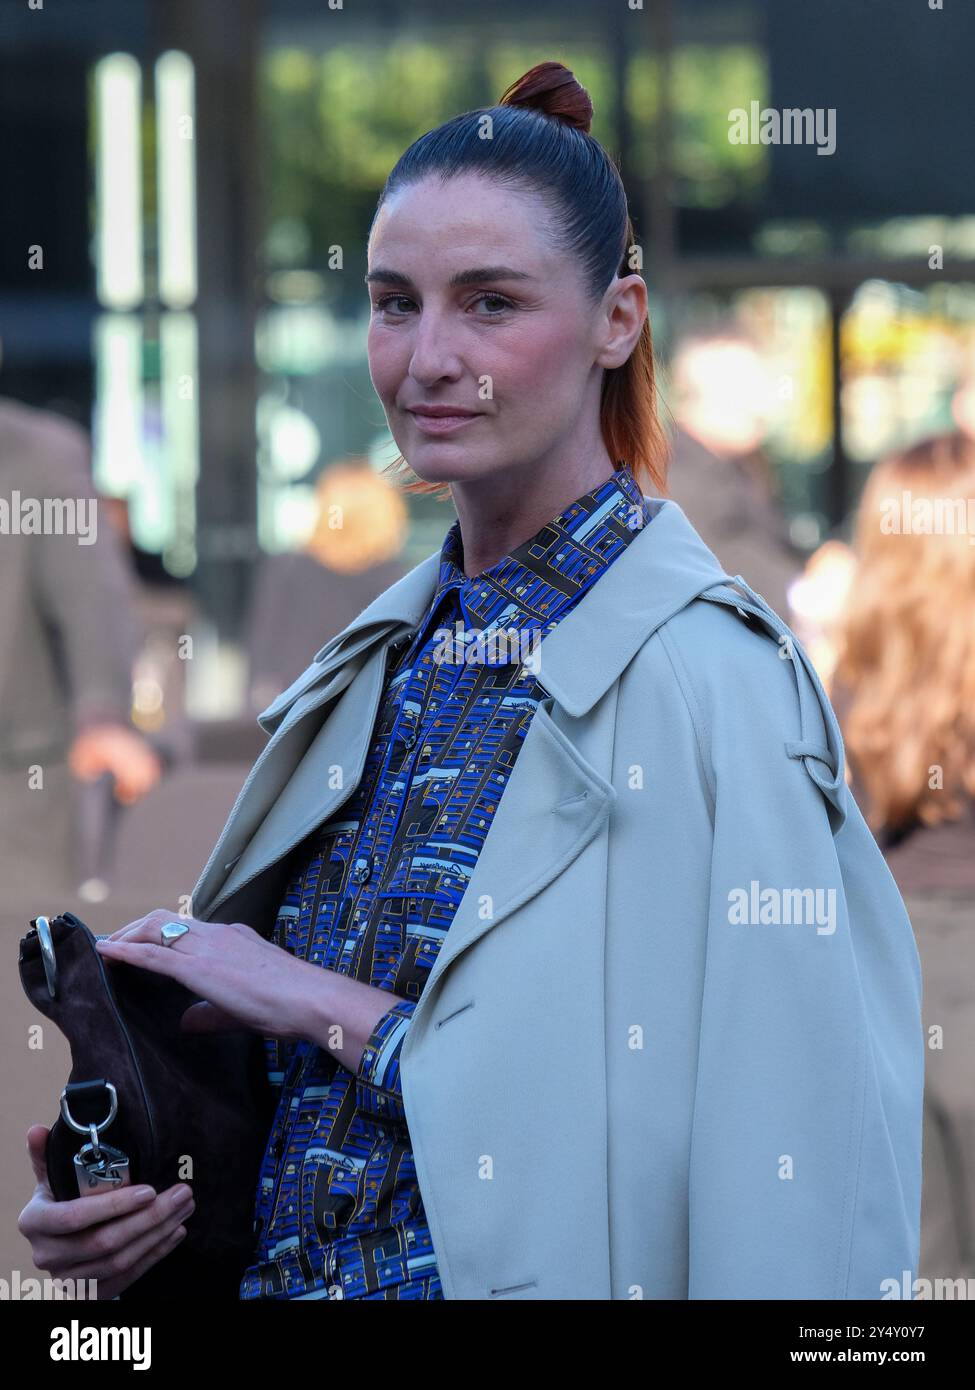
column 905, row 693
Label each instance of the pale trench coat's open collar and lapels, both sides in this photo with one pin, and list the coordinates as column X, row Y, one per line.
column 557, row 799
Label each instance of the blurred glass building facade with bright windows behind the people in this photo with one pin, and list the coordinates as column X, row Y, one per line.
column 184, row 254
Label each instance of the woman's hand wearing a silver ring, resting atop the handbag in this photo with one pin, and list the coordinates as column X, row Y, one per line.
column 244, row 981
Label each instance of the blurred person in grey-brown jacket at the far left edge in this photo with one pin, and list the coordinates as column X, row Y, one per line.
column 67, row 640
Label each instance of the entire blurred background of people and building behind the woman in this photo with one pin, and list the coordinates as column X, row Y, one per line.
column 183, row 338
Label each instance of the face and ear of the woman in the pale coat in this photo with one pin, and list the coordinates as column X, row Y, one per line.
column 474, row 308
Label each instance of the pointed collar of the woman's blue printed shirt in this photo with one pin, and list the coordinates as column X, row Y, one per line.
column 549, row 575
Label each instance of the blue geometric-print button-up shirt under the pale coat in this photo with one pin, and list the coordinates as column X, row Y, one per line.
column 372, row 894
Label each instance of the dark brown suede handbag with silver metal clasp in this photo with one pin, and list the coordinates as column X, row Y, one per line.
column 147, row 1103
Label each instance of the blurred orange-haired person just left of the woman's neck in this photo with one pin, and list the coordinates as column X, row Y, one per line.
column 351, row 557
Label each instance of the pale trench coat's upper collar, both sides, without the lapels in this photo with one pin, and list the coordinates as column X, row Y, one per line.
column 661, row 571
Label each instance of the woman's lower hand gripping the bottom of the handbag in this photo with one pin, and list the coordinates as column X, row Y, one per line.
column 113, row 1238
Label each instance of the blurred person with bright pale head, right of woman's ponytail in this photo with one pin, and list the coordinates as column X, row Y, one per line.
column 718, row 473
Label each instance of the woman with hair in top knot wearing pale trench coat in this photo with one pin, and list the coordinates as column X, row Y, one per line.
column 550, row 814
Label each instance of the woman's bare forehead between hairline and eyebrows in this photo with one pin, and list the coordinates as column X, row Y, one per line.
column 461, row 218
